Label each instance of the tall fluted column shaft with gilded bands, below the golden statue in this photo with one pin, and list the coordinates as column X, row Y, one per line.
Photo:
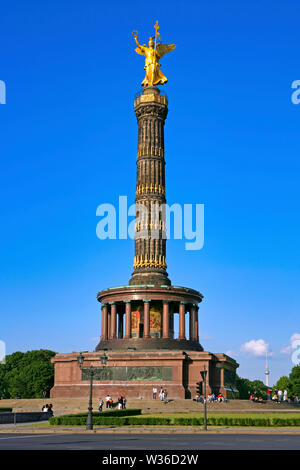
column 150, row 266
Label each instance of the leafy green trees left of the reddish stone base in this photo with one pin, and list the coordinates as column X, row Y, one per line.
column 27, row 375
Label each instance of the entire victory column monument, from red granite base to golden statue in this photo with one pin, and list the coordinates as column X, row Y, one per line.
column 137, row 320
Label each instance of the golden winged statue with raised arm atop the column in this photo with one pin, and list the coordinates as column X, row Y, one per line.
column 153, row 53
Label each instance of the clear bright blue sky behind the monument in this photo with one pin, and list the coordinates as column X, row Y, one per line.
column 68, row 143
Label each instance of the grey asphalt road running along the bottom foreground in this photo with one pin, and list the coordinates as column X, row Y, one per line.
column 174, row 442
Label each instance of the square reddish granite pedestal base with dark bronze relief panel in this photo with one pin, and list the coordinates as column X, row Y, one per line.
column 135, row 373
